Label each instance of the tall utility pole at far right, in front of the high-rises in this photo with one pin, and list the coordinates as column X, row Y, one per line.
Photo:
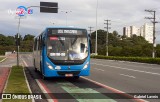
column 154, row 29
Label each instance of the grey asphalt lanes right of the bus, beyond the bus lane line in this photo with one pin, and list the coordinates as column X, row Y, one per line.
column 129, row 77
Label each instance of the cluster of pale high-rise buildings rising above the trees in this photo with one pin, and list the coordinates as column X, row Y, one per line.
column 145, row 31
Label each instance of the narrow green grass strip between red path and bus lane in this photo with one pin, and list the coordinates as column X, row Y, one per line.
column 17, row 84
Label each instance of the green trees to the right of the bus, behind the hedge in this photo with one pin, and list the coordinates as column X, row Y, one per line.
column 135, row 46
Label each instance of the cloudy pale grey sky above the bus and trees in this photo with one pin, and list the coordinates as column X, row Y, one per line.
column 81, row 13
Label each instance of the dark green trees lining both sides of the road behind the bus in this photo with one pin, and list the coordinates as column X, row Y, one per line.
column 118, row 45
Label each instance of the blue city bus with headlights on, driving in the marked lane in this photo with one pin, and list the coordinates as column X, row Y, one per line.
column 62, row 52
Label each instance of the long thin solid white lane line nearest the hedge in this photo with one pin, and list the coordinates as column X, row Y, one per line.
column 128, row 69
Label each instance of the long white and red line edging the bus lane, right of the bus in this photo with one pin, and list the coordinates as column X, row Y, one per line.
column 112, row 89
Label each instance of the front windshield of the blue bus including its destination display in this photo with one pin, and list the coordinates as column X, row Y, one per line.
column 67, row 44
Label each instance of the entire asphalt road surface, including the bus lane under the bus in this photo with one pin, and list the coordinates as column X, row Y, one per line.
column 106, row 77
